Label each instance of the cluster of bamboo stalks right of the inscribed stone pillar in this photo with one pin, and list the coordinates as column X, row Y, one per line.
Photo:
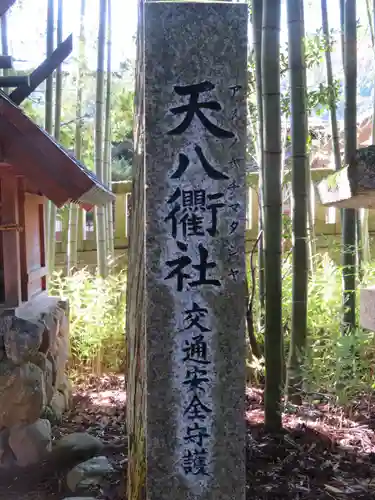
column 271, row 121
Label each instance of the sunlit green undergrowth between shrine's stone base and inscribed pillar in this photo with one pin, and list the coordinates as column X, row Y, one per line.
column 97, row 319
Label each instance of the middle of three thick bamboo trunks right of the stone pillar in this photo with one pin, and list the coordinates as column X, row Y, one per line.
column 301, row 198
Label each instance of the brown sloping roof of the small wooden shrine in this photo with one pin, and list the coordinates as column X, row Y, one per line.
column 37, row 156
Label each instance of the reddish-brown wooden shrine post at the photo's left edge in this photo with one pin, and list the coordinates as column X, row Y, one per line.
column 11, row 241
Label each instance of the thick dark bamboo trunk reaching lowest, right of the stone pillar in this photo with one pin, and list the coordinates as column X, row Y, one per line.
column 272, row 204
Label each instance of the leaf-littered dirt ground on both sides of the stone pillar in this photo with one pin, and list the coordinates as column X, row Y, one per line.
column 321, row 454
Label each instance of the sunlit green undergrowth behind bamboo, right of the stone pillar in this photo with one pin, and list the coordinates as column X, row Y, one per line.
column 340, row 367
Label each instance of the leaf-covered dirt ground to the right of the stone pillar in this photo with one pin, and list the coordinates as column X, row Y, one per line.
column 322, row 454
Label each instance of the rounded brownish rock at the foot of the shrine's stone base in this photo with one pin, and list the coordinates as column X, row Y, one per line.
column 30, row 443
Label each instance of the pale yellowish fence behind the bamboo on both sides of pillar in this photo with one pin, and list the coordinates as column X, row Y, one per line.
column 326, row 223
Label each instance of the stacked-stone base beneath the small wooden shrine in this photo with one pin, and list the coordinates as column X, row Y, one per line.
column 34, row 347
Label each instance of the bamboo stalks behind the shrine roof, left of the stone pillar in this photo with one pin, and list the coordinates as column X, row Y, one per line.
column 102, row 149
